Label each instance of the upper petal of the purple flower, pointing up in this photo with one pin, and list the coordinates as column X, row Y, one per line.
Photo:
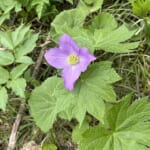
column 67, row 44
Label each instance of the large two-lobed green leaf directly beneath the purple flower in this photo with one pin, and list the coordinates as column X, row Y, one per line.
column 51, row 98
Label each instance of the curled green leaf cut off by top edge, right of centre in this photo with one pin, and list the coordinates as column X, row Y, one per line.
column 90, row 5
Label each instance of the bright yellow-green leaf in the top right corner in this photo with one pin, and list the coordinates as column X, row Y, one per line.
column 141, row 8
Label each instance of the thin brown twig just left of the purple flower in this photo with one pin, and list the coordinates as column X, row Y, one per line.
column 40, row 58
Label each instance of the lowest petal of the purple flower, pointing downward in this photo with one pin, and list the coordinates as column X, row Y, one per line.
column 70, row 74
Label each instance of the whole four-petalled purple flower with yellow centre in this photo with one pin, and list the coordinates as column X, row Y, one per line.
column 69, row 57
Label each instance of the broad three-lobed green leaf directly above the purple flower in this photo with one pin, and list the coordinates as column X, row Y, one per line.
column 102, row 34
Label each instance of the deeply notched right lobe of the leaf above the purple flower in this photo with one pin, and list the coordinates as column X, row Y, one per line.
column 115, row 40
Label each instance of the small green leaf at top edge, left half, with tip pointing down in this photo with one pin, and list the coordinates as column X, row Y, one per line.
column 40, row 6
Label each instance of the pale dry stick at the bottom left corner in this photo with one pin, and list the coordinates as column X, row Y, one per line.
column 13, row 136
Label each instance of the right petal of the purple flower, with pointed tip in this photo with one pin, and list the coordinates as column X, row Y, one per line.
column 85, row 58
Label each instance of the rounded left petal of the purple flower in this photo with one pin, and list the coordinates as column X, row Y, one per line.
column 56, row 58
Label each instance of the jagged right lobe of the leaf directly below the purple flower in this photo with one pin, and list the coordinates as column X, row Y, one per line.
column 96, row 81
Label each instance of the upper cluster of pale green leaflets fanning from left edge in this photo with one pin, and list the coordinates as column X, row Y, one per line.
column 18, row 44
